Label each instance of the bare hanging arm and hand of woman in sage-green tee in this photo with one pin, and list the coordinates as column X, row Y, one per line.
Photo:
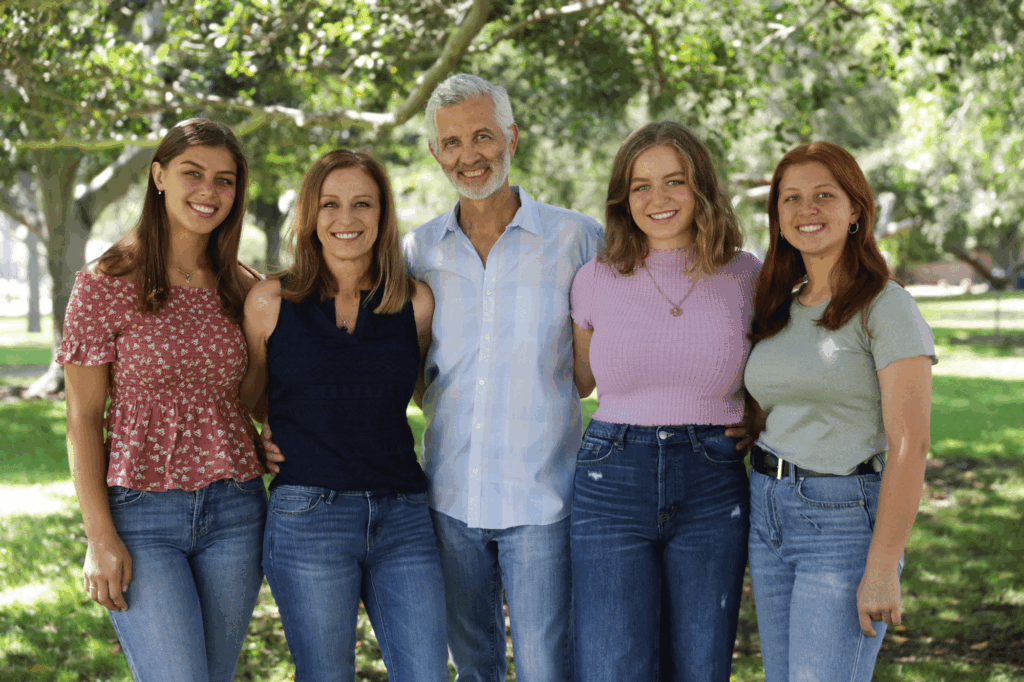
column 907, row 407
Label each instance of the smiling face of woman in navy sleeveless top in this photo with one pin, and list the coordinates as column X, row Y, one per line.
column 349, row 216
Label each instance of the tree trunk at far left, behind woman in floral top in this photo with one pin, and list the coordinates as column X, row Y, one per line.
column 68, row 234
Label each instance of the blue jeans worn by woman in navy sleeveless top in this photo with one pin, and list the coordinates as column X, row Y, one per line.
column 325, row 551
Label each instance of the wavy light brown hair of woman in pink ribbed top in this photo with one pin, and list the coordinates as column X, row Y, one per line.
column 716, row 231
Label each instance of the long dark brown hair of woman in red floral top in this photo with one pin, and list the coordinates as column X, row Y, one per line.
column 144, row 252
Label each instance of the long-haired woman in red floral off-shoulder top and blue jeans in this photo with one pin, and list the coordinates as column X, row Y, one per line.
column 173, row 498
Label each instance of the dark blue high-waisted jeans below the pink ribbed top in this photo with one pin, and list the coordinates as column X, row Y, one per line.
column 660, row 525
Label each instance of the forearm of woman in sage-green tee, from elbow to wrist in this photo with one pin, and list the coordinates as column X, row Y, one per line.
column 899, row 502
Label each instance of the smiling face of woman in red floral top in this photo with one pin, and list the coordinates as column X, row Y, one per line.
column 199, row 188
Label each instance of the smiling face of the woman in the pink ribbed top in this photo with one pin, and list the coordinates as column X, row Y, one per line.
column 662, row 200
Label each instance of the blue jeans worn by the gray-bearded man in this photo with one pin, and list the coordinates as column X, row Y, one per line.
column 533, row 564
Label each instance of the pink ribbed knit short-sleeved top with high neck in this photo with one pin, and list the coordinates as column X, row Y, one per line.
column 654, row 369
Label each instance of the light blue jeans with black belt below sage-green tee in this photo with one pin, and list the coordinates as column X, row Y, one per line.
column 809, row 540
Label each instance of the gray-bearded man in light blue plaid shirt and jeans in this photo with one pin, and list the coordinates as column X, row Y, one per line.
column 503, row 415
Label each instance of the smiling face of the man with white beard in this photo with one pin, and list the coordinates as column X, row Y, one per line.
column 473, row 149
